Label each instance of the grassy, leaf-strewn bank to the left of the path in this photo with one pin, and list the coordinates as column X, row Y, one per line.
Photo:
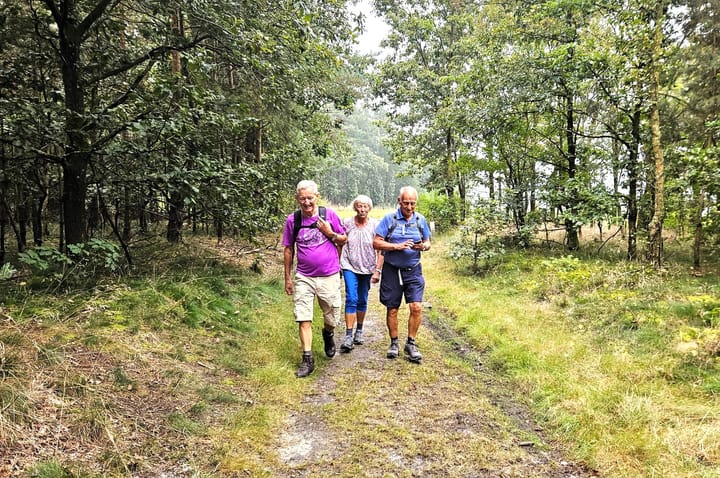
column 190, row 348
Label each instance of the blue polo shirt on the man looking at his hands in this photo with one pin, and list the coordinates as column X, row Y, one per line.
column 416, row 228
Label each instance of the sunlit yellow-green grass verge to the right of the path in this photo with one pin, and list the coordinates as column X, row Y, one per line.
column 620, row 361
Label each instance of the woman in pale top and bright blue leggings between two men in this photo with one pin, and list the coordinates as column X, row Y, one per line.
column 361, row 265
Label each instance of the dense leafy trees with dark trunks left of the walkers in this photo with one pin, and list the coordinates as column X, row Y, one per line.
column 244, row 109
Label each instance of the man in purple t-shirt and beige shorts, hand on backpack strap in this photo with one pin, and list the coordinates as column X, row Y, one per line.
column 317, row 273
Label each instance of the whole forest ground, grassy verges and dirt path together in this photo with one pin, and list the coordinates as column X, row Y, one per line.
column 546, row 364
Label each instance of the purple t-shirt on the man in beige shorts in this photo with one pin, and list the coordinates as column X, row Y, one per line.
column 316, row 255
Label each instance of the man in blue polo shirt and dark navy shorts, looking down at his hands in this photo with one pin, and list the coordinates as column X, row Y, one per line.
column 401, row 236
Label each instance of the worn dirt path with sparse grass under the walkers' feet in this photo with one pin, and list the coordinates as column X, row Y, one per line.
column 369, row 416
